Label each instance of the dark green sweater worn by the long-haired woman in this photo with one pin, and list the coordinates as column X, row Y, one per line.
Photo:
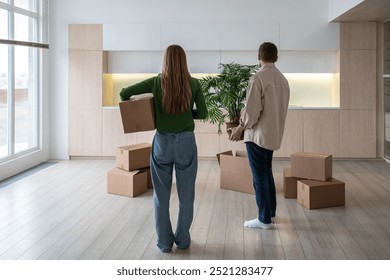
column 168, row 122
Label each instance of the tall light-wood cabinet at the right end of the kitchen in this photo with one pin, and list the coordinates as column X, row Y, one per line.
column 357, row 90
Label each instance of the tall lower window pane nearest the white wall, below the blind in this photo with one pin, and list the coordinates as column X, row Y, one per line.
column 26, row 104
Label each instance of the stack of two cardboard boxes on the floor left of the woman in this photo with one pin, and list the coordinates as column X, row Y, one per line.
column 131, row 176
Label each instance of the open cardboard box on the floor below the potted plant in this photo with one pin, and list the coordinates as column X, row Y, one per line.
column 235, row 174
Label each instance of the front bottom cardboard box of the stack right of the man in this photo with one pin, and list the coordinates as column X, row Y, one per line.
column 318, row 194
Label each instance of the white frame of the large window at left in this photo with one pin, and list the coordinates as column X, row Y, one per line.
column 35, row 57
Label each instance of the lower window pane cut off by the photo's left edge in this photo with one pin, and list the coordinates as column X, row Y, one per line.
column 3, row 101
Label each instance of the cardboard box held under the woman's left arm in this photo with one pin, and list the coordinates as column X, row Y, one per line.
column 138, row 114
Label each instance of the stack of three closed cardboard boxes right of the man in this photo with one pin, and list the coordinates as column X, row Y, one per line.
column 310, row 181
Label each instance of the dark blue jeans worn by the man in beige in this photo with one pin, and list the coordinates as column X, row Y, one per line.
column 260, row 161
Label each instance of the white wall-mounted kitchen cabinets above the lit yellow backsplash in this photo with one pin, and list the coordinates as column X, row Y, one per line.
column 303, row 47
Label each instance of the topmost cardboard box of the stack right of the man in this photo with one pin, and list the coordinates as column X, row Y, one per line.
column 311, row 166
